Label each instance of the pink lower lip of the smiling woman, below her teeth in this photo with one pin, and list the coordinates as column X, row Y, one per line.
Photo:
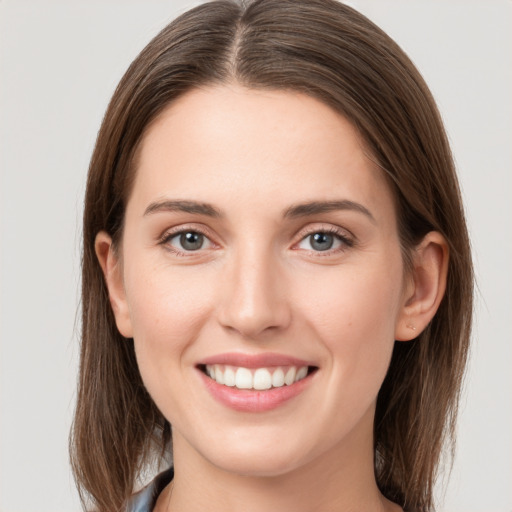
column 247, row 400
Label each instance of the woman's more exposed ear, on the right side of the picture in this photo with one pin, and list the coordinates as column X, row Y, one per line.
column 425, row 287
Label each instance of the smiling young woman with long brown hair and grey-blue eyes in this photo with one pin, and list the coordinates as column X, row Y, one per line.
column 276, row 270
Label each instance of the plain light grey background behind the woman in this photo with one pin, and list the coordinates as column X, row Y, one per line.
column 59, row 64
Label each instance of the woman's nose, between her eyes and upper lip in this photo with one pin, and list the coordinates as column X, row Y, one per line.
column 254, row 302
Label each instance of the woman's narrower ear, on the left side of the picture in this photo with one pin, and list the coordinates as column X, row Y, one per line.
column 112, row 271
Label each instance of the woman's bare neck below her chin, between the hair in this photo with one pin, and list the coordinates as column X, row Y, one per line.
column 341, row 479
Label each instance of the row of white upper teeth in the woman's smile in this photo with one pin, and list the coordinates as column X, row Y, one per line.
column 258, row 378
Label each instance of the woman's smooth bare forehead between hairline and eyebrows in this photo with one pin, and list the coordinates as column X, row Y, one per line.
column 260, row 147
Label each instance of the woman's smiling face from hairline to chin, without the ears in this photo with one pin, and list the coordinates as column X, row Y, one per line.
column 261, row 278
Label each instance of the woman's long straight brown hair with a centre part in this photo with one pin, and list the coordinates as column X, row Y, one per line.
column 331, row 52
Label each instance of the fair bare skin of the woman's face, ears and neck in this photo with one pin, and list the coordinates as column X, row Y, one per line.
column 258, row 285
